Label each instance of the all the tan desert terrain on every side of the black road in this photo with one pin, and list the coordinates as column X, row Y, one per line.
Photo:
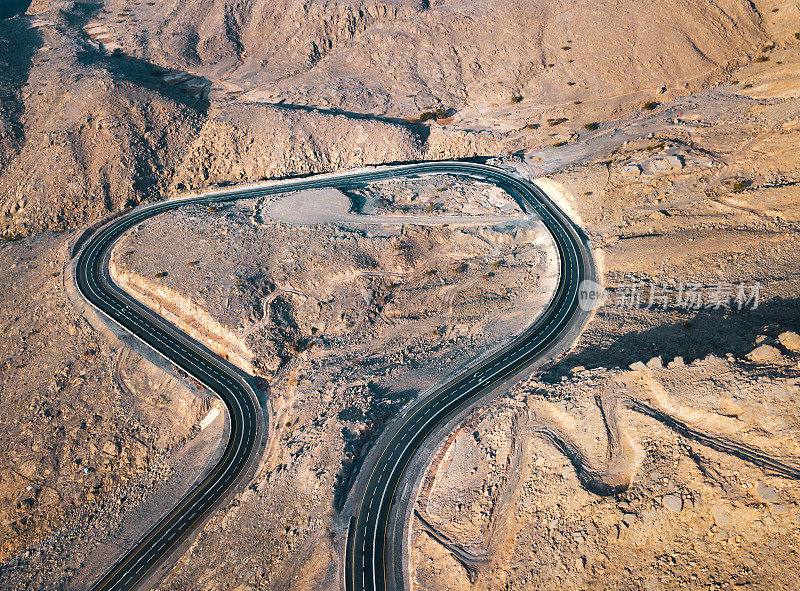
column 661, row 452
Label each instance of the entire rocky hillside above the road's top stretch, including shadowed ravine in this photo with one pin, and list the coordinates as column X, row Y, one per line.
column 103, row 106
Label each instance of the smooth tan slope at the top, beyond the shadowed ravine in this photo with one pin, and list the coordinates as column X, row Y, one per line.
column 400, row 57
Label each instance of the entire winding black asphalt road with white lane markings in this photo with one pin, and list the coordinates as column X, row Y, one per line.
column 366, row 548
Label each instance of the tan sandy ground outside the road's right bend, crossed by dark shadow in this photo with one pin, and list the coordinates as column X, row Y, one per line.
column 662, row 452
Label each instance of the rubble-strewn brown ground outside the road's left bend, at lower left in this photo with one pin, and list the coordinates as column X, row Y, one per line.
column 97, row 442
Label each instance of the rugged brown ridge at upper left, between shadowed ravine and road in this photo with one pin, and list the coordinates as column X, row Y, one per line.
column 83, row 133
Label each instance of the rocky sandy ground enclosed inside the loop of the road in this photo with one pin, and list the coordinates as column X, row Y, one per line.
column 346, row 319
